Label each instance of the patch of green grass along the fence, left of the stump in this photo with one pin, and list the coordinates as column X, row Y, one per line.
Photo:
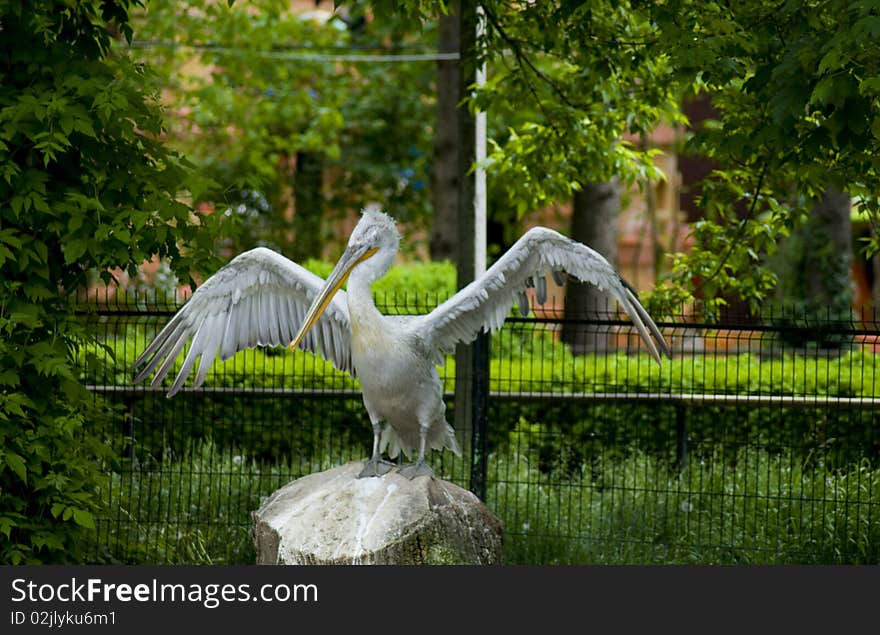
column 194, row 509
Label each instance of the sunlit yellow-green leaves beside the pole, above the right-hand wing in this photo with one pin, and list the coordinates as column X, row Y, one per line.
column 573, row 82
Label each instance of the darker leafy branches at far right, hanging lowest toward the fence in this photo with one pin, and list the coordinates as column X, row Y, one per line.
column 797, row 90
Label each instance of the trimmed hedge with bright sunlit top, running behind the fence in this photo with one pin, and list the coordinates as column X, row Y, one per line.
column 530, row 360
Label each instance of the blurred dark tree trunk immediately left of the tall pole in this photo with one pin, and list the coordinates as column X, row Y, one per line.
column 445, row 187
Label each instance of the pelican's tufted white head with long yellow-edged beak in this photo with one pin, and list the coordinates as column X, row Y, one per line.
column 375, row 239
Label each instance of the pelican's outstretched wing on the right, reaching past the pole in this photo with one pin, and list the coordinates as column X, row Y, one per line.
column 485, row 303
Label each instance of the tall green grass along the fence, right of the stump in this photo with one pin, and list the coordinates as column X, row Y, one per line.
column 636, row 510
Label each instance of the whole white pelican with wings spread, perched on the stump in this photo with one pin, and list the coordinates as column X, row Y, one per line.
column 261, row 298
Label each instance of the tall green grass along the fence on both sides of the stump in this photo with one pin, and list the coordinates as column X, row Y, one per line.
column 759, row 507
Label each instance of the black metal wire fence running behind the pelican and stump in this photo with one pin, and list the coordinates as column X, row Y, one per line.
column 759, row 442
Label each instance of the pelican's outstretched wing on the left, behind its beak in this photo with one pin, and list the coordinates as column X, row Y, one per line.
column 259, row 298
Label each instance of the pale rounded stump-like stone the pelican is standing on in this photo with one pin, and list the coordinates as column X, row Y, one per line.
column 333, row 517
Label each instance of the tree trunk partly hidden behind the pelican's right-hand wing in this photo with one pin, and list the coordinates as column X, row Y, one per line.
column 594, row 222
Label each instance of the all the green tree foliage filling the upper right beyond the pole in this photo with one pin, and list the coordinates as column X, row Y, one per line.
column 795, row 85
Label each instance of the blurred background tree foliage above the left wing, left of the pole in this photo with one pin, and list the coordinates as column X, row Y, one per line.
column 253, row 85
